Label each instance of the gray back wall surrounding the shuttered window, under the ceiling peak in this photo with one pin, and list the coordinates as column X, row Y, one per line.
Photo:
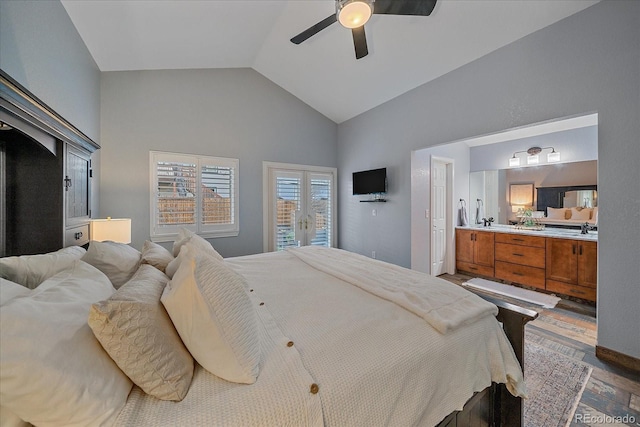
column 233, row 113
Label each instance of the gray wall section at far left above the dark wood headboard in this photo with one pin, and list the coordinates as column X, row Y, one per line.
column 41, row 49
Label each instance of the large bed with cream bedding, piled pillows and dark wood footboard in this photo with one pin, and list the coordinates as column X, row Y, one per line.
column 308, row 336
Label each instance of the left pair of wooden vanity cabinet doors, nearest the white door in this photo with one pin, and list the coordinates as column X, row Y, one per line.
column 475, row 251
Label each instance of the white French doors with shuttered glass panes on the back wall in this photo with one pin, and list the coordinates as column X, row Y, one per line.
column 300, row 206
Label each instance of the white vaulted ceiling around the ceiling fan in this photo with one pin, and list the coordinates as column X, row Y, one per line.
column 404, row 51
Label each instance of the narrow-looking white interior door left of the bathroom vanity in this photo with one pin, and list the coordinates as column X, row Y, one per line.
column 438, row 217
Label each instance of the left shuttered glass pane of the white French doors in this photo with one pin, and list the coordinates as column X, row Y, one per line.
column 287, row 203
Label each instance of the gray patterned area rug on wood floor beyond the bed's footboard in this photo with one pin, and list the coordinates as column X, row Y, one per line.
column 554, row 386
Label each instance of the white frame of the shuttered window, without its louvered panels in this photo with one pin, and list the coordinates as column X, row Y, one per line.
column 160, row 233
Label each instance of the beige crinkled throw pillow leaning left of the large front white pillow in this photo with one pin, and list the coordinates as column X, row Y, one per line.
column 134, row 328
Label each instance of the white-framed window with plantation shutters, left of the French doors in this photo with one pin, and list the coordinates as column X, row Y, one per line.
column 199, row 193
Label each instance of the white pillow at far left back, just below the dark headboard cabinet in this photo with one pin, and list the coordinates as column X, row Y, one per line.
column 31, row 270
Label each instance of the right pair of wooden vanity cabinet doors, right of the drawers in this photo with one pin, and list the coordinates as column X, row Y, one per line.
column 572, row 267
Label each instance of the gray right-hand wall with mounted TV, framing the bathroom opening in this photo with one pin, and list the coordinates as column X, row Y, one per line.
column 588, row 62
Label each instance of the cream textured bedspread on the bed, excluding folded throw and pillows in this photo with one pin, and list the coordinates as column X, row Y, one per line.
column 374, row 362
